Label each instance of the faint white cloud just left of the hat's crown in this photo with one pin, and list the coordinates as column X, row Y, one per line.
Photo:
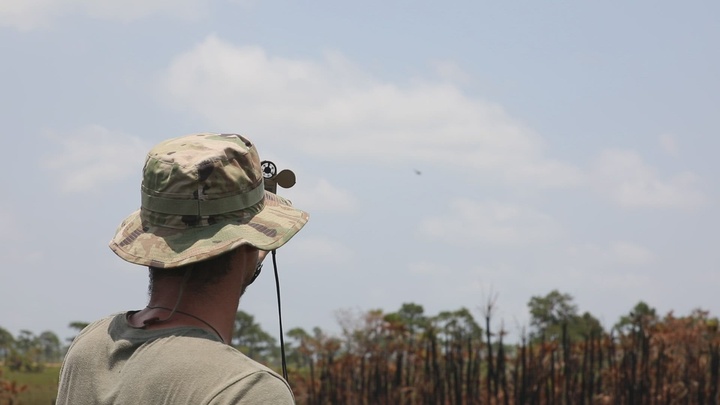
column 94, row 156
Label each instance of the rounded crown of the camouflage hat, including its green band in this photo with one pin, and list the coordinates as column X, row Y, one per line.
column 200, row 175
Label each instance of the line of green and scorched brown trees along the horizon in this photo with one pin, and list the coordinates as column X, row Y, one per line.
column 456, row 357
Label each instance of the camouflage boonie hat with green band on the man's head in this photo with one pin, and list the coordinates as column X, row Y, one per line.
column 203, row 195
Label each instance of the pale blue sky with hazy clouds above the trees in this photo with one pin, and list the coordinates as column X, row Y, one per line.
column 560, row 146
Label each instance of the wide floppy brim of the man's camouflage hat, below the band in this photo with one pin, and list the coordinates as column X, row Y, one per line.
column 156, row 246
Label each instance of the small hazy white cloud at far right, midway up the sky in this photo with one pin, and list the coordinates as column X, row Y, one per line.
column 623, row 177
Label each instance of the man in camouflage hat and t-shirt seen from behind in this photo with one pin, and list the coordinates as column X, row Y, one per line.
column 204, row 219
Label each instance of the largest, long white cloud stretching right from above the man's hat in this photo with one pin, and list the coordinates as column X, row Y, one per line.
column 331, row 108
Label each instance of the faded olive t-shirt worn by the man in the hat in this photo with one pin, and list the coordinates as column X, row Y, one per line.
column 111, row 362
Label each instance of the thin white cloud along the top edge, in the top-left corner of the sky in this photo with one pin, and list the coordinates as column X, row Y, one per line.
column 32, row 14
